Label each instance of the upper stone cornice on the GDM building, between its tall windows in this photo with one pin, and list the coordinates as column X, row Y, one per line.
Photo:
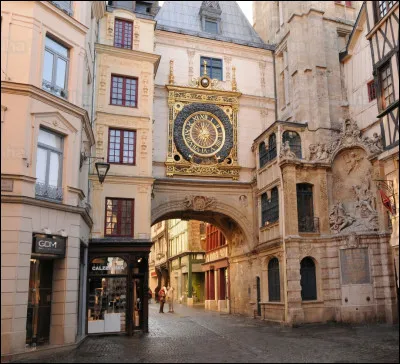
column 52, row 100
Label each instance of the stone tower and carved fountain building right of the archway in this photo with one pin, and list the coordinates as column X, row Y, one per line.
column 326, row 257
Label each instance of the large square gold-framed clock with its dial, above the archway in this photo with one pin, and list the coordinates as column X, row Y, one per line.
column 202, row 130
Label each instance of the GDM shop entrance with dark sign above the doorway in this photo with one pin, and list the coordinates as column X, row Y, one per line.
column 45, row 249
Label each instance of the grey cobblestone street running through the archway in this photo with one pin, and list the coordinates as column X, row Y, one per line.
column 193, row 335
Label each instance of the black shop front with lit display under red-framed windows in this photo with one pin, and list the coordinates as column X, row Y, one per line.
column 117, row 299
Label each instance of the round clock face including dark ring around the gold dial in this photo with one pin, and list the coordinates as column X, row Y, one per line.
column 203, row 134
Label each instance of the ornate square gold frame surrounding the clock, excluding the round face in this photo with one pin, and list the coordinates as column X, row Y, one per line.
column 228, row 101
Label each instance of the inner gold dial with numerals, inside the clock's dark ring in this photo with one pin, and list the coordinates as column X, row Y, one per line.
column 203, row 133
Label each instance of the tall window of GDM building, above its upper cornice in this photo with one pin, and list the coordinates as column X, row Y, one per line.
column 55, row 67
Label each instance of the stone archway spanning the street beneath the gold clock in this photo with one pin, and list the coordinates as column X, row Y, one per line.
column 227, row 205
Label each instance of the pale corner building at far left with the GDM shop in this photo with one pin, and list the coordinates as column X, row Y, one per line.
column 46, row 127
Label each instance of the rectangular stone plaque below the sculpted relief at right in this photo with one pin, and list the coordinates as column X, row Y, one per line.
column 355, row 266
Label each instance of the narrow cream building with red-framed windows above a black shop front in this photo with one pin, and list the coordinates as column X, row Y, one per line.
column 125, row 66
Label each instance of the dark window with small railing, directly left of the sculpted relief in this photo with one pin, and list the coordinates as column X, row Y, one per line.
column 305, row 208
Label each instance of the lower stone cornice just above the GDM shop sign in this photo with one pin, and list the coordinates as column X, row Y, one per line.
column 25, row 200
